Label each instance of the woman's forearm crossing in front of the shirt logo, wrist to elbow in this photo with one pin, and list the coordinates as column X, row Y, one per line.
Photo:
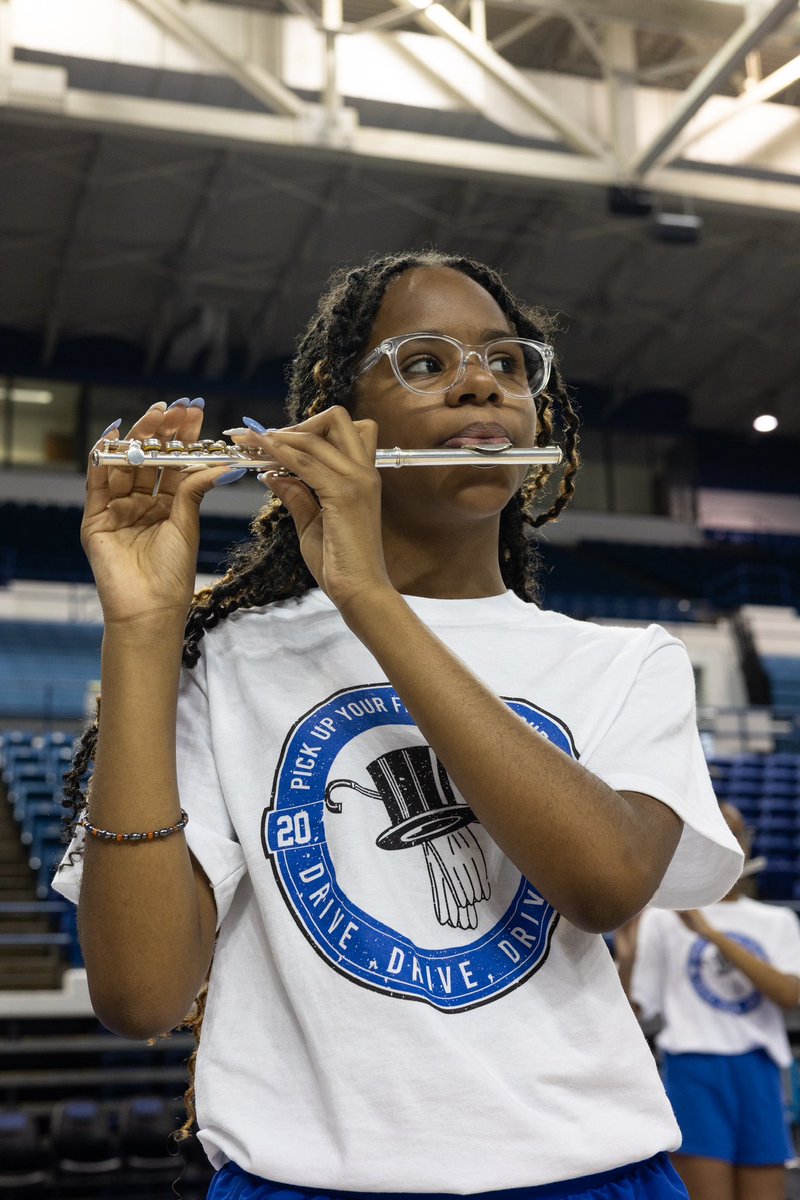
column 597, row 855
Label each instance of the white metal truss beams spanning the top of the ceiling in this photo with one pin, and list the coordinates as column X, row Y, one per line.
column 580, row 157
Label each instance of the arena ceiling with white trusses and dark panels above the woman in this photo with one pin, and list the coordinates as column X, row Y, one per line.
column 179, row 178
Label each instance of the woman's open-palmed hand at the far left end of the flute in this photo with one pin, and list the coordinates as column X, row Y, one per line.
column 143, row 549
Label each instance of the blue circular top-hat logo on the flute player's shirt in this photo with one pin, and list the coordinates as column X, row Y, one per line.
column 386, row 868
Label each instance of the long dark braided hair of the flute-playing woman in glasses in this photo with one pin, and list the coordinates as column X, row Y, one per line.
column 270, row 568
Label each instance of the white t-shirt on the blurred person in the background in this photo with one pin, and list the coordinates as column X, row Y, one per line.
column 707, row 1005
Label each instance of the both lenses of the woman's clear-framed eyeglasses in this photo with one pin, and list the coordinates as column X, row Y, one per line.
column 434, row 364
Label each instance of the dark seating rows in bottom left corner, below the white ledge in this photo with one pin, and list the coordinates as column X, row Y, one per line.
column 86, row 1114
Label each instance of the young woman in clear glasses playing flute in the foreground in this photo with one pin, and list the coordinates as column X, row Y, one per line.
column 414, row 800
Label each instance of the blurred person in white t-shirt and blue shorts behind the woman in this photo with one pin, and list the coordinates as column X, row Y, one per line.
column 721, row 980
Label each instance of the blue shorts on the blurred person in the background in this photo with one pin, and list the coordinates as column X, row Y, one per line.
column 729, row 1107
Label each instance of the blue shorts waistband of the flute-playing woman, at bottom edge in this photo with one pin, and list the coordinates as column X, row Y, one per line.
column 653, row 1180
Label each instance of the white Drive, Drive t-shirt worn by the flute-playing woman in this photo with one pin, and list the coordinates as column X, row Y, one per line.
column 393, row 1007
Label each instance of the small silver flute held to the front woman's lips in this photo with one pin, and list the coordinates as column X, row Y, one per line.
column 153, row 453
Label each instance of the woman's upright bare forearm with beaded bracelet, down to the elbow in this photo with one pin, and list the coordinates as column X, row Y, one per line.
column 146, row 914
